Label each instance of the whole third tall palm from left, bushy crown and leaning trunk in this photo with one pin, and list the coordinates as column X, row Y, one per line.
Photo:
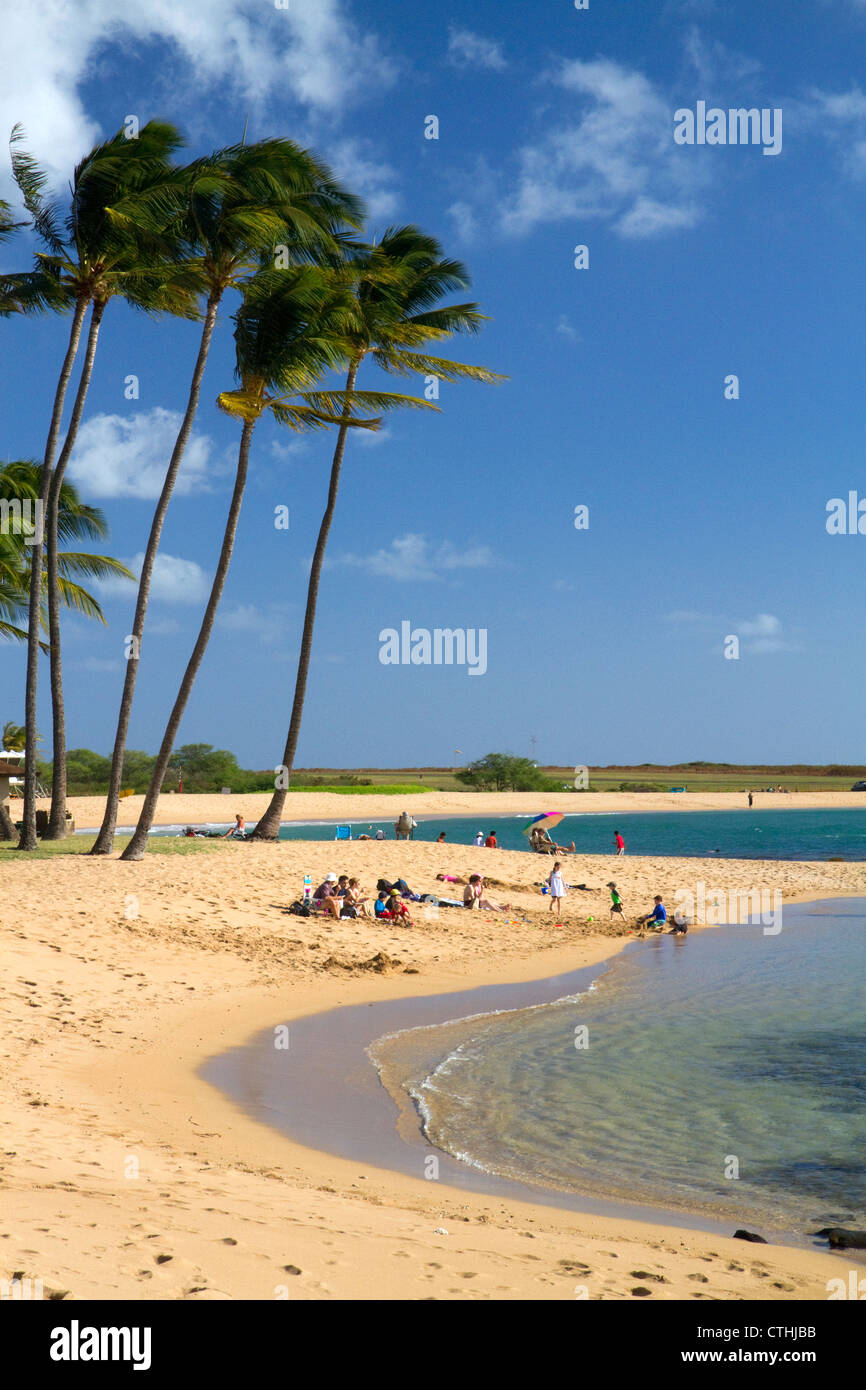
column 238, row 206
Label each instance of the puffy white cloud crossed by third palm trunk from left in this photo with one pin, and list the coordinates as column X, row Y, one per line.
column 126, row 457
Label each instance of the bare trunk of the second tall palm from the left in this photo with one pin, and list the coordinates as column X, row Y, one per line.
column 58, row 819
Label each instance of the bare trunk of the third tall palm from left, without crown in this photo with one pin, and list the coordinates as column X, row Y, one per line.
column 105, row 842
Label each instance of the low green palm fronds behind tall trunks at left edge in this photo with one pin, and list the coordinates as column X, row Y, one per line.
column 20, row 483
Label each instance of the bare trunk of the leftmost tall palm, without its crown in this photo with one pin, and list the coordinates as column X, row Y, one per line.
column 28, row 832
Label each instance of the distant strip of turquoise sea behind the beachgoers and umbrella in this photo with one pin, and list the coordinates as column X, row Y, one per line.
column 732, row 835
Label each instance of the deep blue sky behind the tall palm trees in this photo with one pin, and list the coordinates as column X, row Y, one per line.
column 707, row 515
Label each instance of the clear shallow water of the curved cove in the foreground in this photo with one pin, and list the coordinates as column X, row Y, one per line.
column 722, row 1074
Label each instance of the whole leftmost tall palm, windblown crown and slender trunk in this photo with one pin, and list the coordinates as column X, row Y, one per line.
column 87, row 261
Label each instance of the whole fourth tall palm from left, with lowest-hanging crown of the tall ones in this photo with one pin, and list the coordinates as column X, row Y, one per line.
column 288, row 332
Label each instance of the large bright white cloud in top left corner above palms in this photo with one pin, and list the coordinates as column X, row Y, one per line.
column 312, row 52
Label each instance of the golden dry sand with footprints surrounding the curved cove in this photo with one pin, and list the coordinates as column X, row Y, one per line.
column 127, row 1177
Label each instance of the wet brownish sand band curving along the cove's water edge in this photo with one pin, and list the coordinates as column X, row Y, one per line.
column 372, row 1117
